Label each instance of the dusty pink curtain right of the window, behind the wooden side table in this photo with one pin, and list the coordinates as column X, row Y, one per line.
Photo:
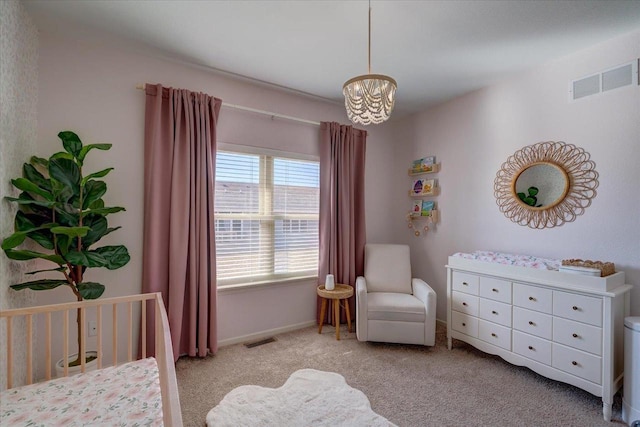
column 342, row 226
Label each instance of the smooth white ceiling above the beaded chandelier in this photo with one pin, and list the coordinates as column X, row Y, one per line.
column 435, row 50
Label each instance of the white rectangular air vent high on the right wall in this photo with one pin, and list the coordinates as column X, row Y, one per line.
column 604, row 81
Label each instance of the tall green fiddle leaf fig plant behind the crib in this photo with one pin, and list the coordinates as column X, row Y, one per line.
column 63, row 212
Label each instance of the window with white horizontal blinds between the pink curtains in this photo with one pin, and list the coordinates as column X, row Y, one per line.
column 266, row 217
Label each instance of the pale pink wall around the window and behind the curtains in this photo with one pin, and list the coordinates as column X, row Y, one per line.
column 89, row 87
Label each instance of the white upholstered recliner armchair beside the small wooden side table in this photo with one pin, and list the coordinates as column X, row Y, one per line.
column 390, row 305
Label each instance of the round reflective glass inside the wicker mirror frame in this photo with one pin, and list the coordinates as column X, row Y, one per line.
column 541, row 185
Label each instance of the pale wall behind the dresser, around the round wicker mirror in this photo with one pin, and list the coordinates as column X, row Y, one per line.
column 474, row 134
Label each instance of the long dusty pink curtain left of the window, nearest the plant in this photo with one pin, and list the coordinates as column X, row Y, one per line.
column 179, row 242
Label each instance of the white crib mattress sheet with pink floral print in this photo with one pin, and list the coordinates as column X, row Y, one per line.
column 125, row 395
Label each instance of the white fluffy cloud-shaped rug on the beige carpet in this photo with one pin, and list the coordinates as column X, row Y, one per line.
column 307, row 398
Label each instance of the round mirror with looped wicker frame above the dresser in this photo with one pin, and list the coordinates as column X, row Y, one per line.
column 546, row 184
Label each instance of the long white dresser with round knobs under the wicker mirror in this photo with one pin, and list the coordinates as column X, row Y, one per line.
column 567, row 327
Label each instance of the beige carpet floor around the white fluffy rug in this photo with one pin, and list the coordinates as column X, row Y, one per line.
column 409, row 385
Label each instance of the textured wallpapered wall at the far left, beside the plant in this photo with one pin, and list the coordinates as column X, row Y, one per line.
column 18, row 131
